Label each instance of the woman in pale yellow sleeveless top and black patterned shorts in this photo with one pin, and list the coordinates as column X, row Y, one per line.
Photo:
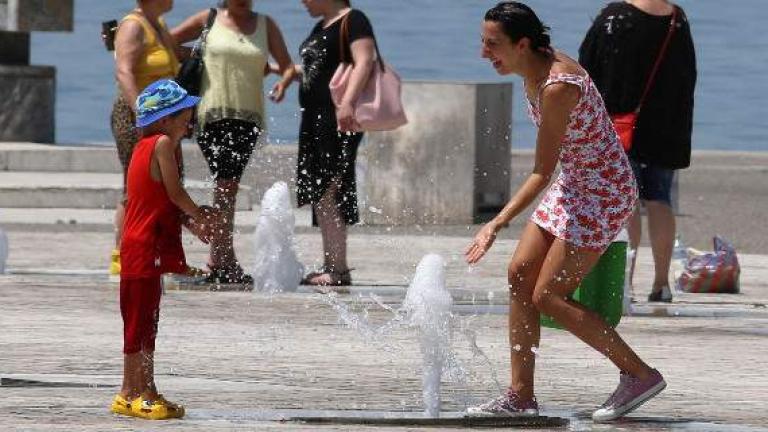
column 231, row 113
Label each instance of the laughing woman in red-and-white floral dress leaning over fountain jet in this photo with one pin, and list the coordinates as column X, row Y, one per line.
column 583, row 210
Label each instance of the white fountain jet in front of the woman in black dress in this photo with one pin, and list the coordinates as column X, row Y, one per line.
column 276, row 267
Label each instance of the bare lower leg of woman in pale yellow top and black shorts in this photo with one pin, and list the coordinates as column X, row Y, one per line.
column 222, row 253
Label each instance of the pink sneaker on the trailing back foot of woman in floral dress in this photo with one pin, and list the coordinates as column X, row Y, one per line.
column 629, row 395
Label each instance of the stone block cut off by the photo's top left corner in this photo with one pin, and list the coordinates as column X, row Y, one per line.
column 37, row 15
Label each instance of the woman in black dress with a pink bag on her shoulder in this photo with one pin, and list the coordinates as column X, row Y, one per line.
column 329, row 135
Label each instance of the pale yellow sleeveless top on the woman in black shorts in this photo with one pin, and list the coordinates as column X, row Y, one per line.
column 233, row 77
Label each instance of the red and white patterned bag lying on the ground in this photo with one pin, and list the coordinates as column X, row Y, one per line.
column 711, row 272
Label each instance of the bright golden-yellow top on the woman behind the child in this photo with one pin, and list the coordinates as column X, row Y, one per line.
column 158, row 60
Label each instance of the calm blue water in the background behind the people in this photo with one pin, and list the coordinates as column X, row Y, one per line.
column 439, row 40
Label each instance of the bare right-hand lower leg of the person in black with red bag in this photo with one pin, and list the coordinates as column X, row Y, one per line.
column 661, row 230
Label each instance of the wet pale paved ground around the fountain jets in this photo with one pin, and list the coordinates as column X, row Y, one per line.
column 254, row 361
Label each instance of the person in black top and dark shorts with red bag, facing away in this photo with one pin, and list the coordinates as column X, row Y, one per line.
column 619, row 53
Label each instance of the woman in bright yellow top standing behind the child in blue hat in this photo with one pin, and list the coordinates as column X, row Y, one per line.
column 144, row 53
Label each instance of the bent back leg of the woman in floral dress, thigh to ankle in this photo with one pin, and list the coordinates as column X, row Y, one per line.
column 561, row 273
